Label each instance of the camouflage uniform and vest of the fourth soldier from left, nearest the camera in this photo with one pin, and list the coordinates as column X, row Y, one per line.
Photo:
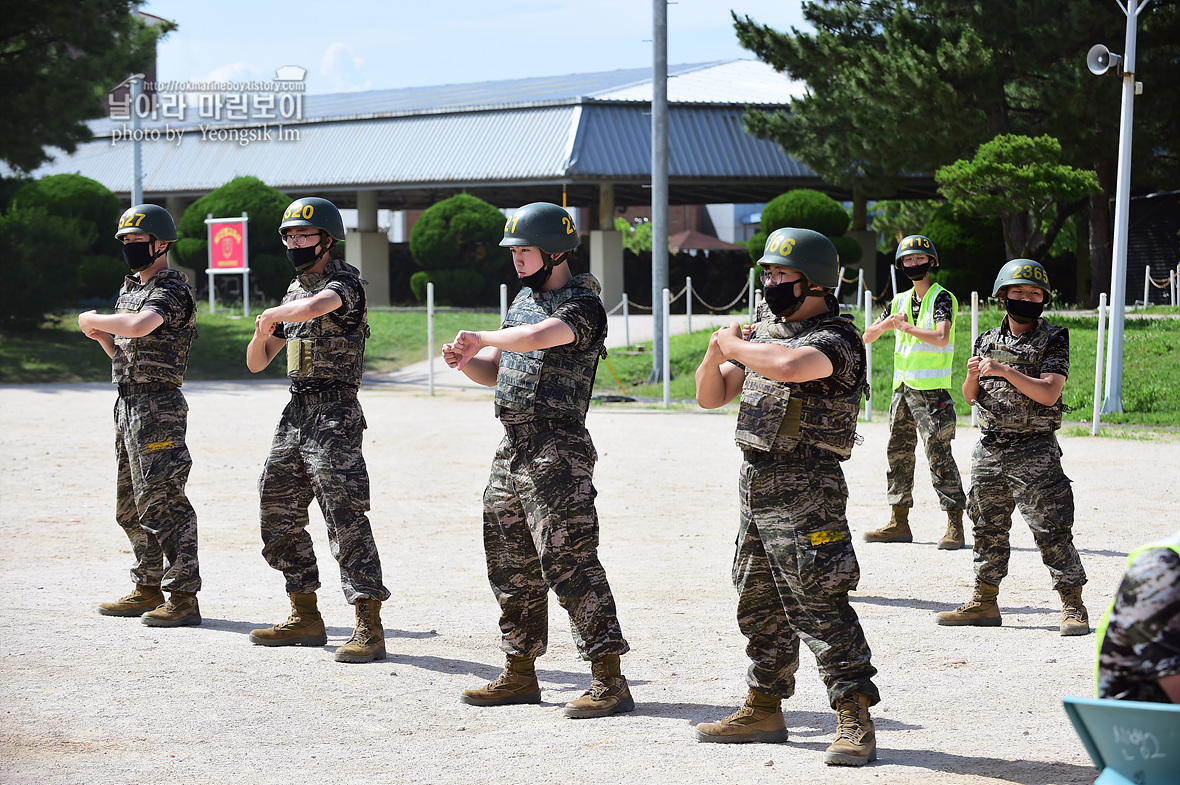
column 795, row 564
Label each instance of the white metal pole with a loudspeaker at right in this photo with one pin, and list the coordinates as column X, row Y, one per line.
column 1099, row 61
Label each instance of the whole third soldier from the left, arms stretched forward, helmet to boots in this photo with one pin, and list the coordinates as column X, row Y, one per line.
column 541, row 529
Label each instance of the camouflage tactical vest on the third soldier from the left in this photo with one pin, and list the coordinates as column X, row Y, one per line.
column 550, row 384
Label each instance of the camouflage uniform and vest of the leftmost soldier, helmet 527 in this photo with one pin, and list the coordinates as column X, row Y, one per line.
column 150, row 424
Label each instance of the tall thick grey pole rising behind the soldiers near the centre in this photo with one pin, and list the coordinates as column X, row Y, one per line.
column 659, row 181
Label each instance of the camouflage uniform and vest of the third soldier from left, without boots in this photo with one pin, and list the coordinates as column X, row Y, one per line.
column 541, row 528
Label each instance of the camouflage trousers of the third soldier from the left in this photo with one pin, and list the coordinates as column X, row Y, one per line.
column 541, row 533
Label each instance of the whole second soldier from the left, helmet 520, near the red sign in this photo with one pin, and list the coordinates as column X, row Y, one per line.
column 317, row 452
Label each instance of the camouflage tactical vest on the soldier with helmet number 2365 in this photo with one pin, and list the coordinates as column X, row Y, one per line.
column 1001, row 405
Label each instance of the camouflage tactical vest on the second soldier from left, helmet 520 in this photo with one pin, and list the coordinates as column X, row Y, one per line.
column 322, row 348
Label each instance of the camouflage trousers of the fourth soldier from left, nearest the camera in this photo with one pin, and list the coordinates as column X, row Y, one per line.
column 794, row 570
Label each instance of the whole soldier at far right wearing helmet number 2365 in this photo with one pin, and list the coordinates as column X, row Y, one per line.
column 1017, row 375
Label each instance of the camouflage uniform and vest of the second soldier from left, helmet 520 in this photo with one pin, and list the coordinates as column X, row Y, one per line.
column 317, row 450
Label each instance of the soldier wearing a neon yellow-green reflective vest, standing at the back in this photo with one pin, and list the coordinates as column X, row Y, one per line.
column 923, row 359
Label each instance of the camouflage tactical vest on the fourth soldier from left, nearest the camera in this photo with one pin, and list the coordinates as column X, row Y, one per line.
column 779, row 416
